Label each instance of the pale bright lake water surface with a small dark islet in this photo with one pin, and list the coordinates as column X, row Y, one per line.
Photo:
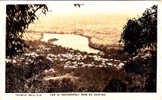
column 76, row 42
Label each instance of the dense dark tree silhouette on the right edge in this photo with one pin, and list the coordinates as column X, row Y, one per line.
column 141, row 33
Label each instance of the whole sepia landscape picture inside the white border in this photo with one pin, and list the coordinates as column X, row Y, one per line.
column 72, row 47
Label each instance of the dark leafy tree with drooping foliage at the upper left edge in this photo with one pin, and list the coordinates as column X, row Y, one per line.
column 18, row 18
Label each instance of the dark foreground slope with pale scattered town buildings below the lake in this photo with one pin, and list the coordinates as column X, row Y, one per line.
column 49, row 68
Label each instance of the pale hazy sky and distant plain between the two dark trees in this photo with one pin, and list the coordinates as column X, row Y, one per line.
column 104, row 21
